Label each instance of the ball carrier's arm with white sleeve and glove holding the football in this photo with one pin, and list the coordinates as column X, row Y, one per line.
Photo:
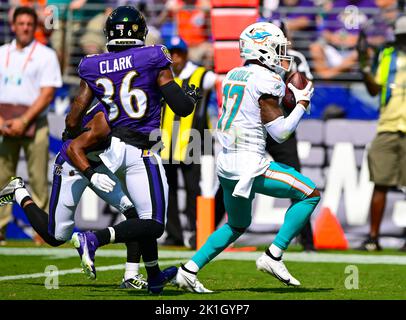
column 279, row 127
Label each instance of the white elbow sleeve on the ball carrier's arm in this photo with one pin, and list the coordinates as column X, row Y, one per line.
column 281, row 128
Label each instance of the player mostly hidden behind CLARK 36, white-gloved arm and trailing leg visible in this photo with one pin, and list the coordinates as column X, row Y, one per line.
column 69, row 183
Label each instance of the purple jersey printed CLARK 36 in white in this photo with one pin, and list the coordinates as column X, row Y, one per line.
column 126, row 82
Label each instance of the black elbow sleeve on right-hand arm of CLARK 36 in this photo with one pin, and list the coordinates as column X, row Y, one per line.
column 177, row 100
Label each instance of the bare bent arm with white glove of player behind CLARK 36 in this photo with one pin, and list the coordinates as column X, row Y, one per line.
column 99, row 131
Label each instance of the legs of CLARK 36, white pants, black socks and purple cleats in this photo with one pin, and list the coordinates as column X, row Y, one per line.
column 148, row 190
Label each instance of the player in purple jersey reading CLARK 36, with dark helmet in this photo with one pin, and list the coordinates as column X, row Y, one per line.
column 130, row 80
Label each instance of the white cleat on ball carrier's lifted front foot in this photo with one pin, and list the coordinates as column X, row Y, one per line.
column 277, row 269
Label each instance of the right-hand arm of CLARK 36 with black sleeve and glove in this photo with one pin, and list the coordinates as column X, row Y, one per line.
column 181, row 102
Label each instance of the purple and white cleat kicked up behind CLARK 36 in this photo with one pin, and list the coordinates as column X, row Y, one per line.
column 86, row 244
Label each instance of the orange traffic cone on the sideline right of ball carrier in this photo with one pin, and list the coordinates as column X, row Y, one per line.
column 328, row 233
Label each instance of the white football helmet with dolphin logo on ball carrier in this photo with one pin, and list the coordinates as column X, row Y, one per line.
column 265, row 42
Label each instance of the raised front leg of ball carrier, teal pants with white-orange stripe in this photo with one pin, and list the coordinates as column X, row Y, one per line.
column 282, row 181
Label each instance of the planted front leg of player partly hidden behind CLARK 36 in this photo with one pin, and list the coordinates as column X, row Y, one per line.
column 132, row 278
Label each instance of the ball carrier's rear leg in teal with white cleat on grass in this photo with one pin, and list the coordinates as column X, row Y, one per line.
column 239, row 218
